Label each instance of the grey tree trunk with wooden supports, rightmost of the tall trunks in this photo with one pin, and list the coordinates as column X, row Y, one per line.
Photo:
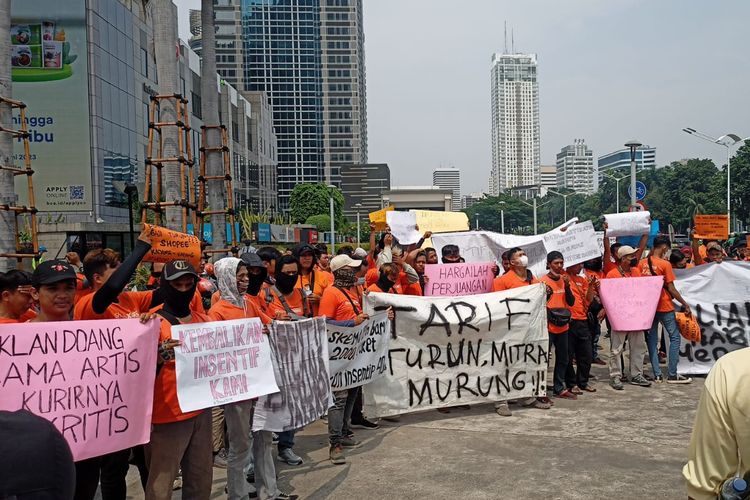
column 210, row 113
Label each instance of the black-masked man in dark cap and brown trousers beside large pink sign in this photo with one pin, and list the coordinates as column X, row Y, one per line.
column 177, row 438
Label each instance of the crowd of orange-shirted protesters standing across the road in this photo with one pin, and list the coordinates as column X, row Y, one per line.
column 306, row 282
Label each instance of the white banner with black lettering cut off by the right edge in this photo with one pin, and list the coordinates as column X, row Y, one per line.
column 719, row 295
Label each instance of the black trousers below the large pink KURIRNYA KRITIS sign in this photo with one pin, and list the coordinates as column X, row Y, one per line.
column 112, row 468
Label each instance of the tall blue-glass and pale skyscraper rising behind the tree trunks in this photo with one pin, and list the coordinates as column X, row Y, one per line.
column 308, row 57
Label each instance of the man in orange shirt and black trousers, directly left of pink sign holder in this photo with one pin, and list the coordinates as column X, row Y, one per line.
column 579, row 334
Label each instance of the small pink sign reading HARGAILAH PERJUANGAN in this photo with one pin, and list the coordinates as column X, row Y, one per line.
column 450, row 280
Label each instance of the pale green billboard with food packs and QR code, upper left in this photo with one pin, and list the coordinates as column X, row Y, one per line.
column 49, row 68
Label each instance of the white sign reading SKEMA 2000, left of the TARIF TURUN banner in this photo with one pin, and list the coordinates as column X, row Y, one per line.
column 358, row 355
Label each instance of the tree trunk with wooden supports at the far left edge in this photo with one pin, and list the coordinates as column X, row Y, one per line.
column 7, row 188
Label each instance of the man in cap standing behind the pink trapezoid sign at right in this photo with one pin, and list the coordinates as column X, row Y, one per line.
column 627, row 267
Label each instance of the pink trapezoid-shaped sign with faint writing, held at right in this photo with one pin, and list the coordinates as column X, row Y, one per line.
column 631, row 302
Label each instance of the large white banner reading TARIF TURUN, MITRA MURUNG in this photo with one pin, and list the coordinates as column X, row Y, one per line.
column 448, row 351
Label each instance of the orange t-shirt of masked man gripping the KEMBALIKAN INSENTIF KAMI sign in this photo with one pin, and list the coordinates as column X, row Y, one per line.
column 166, row 406
